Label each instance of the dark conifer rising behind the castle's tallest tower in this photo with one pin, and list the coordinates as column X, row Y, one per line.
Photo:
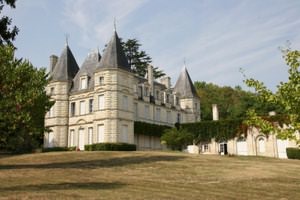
column 139, row 59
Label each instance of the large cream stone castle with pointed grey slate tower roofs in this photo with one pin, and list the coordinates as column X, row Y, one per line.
column 100, row 101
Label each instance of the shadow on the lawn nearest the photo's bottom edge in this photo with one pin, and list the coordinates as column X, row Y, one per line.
column 65, row 186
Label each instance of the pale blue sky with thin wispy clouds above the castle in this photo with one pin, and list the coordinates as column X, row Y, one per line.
column 216, row 38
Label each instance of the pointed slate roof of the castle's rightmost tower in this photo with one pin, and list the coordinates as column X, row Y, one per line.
column 185, row 86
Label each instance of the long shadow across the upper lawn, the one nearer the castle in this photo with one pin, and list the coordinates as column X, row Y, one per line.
column 92, row 164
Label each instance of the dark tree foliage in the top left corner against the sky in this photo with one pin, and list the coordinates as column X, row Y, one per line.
column 7, row 34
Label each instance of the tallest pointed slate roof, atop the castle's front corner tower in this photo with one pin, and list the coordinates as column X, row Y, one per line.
column 114, row 56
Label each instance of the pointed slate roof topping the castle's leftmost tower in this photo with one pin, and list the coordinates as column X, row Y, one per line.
column 66, row 66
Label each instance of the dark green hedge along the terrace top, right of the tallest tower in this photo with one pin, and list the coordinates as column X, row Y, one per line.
column 144, row 128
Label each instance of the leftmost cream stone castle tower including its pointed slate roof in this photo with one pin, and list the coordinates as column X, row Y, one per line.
column 62, row 72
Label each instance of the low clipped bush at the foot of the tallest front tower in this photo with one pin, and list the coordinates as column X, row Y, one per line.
column 110, row 147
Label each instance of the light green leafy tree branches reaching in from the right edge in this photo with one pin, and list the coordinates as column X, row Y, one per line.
column 287, row 96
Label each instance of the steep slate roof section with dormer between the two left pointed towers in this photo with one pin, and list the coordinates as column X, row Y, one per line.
column 88, row 68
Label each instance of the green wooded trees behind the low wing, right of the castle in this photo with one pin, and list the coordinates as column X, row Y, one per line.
column 232, row 102
